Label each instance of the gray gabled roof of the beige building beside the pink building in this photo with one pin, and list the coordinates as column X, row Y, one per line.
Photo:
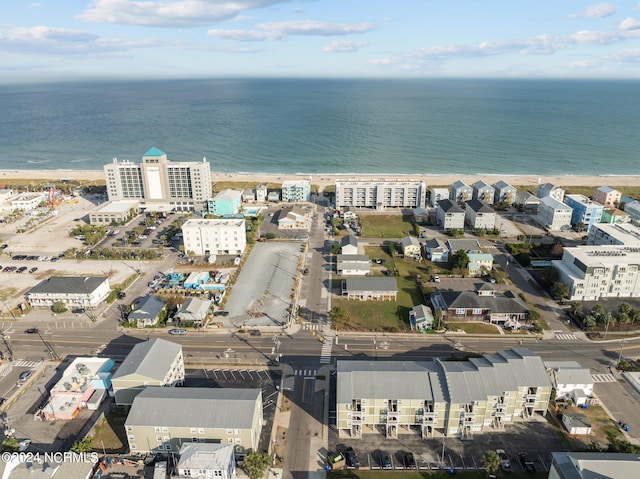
column 149, row 358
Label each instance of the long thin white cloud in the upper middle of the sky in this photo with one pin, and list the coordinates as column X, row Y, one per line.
column 278, row 30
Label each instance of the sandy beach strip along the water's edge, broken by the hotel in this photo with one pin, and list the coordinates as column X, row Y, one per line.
column 328, row 179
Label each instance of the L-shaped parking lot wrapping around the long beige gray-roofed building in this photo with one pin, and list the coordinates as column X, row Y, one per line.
column 266, row 380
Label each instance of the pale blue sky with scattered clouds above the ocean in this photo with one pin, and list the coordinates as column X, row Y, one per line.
column 74, row 39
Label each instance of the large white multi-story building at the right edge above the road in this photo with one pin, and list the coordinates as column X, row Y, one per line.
column 594, row 272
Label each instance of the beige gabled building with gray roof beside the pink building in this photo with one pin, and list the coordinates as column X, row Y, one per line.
column 156, row 363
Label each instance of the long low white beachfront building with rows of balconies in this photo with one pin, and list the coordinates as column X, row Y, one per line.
column 380, row 194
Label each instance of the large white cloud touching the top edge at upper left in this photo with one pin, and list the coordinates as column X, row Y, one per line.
column 169, row 13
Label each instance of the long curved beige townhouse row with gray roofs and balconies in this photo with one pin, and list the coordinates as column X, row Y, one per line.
column 449, row 398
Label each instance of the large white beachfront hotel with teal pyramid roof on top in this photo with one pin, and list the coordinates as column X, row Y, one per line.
column 160, row 183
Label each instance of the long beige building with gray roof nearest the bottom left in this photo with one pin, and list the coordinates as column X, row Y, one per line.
column 162, row 419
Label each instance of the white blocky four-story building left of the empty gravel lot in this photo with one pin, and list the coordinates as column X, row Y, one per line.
column 215, row 236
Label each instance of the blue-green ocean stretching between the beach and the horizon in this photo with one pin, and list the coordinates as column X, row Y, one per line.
column 287, row 126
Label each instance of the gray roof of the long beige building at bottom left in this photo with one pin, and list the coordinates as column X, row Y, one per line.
column 194, row 407
